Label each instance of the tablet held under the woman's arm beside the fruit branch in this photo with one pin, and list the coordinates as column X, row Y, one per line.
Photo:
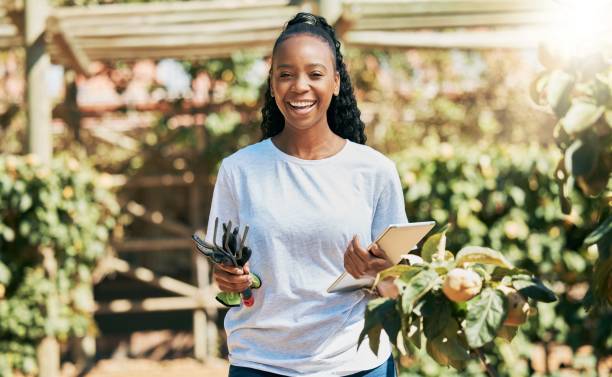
column 397, row 240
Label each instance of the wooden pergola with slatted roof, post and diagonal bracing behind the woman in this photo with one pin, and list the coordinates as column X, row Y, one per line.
column 76, row 36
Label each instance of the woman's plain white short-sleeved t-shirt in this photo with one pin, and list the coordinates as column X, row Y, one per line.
column 302, row 215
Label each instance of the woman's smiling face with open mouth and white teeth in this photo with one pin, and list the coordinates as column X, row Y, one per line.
column 303, row 81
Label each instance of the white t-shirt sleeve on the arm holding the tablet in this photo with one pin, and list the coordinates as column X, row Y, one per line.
column 390, row 207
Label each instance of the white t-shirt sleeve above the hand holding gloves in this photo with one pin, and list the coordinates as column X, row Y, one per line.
column 224, row 205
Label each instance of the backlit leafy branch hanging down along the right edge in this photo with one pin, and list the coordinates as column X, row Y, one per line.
column 579, row 93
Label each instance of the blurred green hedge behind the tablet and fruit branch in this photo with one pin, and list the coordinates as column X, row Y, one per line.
column 505, row 198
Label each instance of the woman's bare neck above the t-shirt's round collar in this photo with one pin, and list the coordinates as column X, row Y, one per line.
column 308, row 144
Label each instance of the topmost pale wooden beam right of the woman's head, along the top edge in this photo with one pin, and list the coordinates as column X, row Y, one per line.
column 394, row 8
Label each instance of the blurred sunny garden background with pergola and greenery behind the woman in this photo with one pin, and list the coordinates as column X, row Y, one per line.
column 115, row 115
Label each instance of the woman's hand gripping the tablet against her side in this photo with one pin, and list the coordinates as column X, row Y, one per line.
column 359, row 261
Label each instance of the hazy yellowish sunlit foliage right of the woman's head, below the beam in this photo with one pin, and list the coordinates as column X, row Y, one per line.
column 458, row 95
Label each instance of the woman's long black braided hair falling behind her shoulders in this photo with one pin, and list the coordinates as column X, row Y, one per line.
column 343, row 115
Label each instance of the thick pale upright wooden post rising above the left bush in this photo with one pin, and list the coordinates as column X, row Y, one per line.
column 37, row 66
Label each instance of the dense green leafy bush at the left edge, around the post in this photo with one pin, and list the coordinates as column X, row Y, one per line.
column 55, row 221
